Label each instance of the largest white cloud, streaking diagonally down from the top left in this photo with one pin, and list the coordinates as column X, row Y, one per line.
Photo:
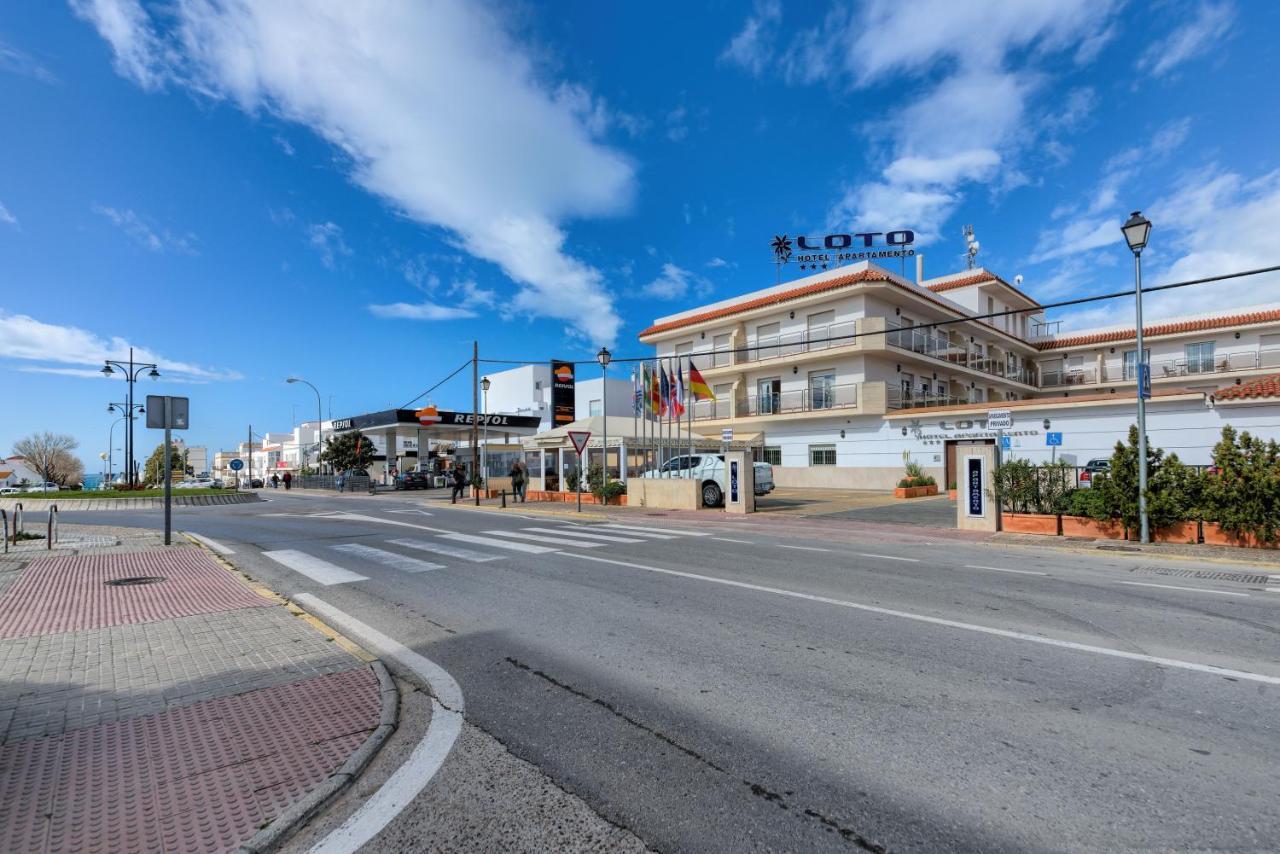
column 438, row 109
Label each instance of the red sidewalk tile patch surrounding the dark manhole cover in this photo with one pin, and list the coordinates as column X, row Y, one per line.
column 71, row 593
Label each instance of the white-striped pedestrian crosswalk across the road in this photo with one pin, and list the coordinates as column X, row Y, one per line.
column 447, row 549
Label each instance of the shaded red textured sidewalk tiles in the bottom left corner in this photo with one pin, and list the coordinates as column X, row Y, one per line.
column 203, row 778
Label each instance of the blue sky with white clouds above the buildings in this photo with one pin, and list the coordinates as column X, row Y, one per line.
column 252, row 190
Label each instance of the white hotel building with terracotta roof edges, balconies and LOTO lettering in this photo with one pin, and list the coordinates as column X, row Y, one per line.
column 835, row 377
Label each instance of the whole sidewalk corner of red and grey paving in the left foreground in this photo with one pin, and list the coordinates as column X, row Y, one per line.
column 181, row 714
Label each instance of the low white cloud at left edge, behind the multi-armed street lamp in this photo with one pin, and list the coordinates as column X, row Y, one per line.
column 22, row 337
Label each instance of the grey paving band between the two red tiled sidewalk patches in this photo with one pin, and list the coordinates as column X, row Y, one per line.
column 63, row 682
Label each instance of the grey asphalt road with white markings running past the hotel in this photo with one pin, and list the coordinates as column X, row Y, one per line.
column 728, row 688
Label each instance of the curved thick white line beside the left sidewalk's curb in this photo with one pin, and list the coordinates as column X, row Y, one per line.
column 427, row 759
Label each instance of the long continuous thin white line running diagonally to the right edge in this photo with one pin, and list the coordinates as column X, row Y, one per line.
column 950, row 624
